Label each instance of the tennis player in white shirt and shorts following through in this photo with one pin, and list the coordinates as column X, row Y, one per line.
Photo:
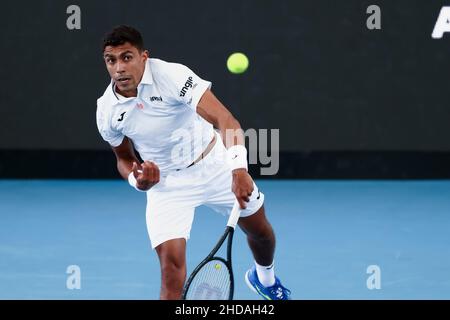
column 168, row 115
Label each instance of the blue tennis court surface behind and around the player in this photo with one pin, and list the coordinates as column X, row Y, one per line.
column 328, row 234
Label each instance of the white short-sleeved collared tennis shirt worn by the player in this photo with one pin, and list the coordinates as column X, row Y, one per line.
column 161, row 120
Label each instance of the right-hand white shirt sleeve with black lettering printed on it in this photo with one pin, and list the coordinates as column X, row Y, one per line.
column 188, row 86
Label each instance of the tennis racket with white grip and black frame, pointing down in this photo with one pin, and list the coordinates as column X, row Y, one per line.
column 213, row 278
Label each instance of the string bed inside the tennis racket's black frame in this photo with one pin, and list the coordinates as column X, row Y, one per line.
column 212, row 282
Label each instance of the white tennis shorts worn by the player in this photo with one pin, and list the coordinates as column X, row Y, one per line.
column 171, row 203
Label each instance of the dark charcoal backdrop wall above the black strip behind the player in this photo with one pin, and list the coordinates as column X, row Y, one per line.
column 316, row 72
